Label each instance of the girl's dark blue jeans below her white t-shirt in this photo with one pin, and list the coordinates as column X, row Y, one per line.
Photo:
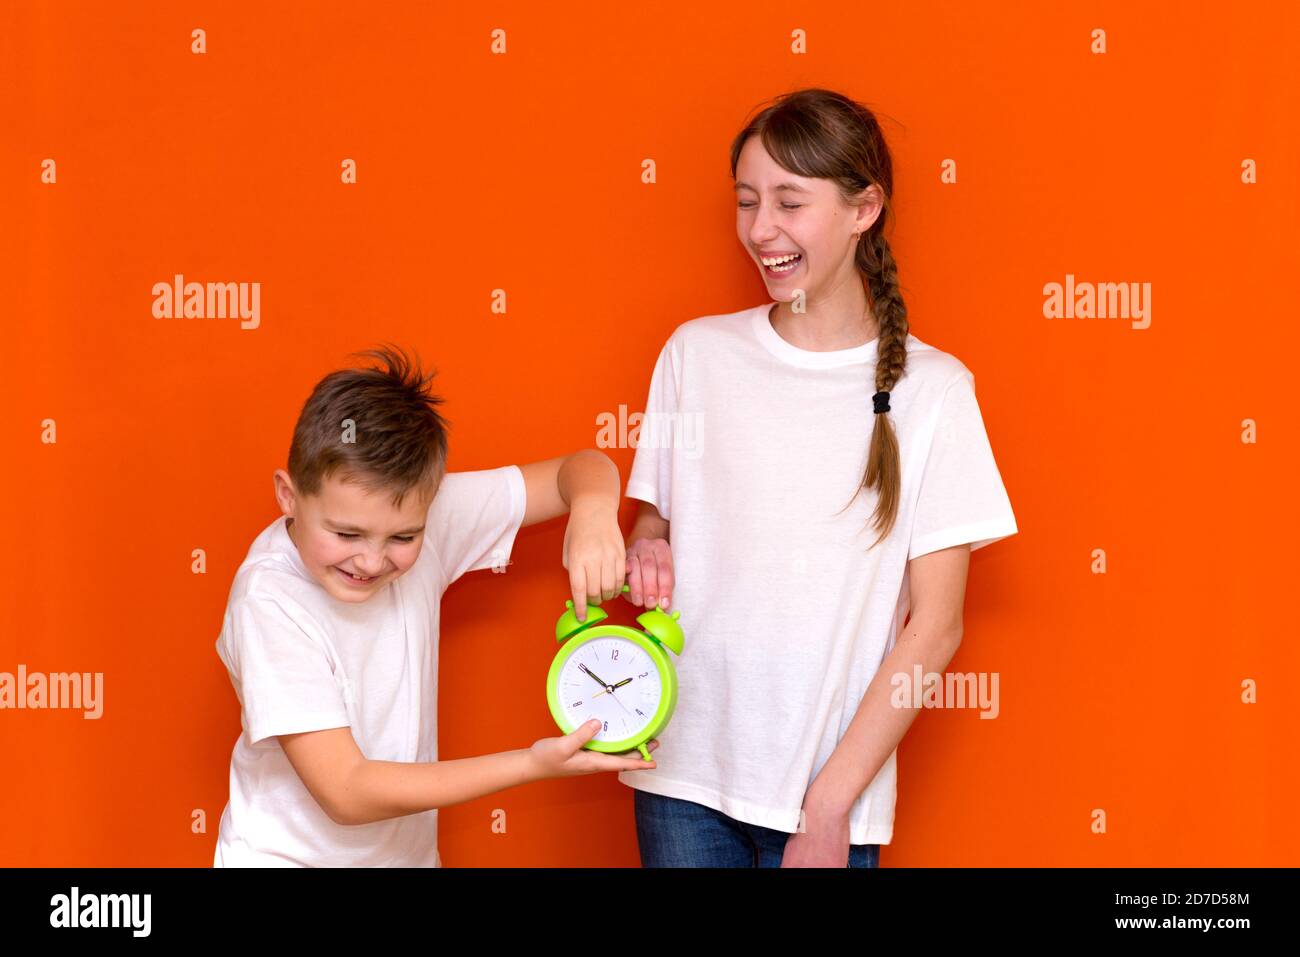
column 673, row 833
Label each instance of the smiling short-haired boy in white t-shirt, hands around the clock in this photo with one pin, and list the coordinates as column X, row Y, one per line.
column 331, row 631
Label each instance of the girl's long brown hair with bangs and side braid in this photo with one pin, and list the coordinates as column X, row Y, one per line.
column 824, row 135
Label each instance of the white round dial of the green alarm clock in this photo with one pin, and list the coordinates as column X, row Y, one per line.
column 613, row 679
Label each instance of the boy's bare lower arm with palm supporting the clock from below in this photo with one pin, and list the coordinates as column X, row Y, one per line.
column 353, row 790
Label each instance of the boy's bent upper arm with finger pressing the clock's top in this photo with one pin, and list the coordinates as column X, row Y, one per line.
column 587, row 486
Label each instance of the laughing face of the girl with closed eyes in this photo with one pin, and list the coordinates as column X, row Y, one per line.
column 782, row 215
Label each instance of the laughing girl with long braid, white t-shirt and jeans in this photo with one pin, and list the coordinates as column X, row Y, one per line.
column 820, row 473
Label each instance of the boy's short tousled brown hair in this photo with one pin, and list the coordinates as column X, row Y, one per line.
column 379, row 427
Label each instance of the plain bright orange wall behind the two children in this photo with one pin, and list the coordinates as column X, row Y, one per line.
column 523, row 172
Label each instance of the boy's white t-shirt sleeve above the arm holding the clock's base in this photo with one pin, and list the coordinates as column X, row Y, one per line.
column 283, row 672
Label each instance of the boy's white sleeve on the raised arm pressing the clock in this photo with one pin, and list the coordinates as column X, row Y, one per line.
column 475, row 518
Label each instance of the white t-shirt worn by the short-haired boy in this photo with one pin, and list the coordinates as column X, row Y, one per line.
column 304, row 661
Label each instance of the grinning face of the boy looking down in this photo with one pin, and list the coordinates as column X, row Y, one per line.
column 354, row 542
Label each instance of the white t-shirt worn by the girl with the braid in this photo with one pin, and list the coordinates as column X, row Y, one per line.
column 749, row 448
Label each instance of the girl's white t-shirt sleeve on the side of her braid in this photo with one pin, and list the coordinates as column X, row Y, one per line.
column 963, row 499
